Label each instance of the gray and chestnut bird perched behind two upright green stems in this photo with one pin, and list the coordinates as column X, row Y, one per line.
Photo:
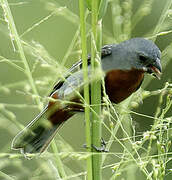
column 124, row 66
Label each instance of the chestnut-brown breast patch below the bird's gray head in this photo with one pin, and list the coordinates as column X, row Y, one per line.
column 120, row 84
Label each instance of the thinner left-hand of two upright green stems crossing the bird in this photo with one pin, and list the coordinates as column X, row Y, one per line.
column 86, row 86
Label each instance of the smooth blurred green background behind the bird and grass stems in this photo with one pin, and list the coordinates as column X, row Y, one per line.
column 49, row 27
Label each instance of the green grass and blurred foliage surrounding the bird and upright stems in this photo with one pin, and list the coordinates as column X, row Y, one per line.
column 39, row 41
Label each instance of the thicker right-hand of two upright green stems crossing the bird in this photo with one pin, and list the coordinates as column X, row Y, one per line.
column 96, row 90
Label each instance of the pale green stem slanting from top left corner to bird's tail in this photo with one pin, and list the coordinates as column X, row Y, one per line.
column 15, row 36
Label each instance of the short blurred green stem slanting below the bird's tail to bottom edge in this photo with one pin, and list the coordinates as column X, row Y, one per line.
column 58, row 161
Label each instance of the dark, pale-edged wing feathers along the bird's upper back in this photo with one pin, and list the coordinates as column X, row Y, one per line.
column 105, row 51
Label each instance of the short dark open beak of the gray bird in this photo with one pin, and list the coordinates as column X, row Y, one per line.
column 156, row 69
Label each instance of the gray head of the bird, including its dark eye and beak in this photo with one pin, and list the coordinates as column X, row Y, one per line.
column 141, row 54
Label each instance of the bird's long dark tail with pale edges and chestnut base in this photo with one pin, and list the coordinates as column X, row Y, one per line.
column 38, row 134
